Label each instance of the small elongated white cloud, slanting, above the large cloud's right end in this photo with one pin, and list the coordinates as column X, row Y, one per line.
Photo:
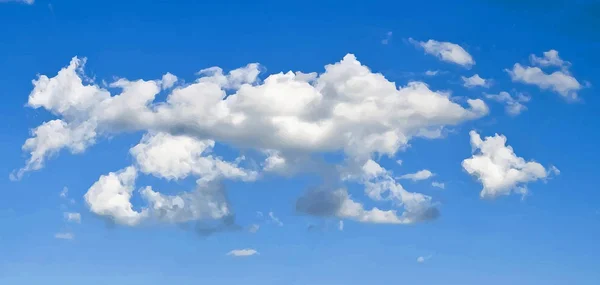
column 446, row 51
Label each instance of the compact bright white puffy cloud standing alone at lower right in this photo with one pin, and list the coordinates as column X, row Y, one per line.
column 499, row 169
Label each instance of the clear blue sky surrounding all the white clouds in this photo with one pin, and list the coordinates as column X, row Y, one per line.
column 548, row 237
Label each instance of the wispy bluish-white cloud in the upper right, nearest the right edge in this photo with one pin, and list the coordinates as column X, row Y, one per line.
column 561, row 81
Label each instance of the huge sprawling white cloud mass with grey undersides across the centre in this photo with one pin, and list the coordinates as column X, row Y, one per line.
column 290, row 119
